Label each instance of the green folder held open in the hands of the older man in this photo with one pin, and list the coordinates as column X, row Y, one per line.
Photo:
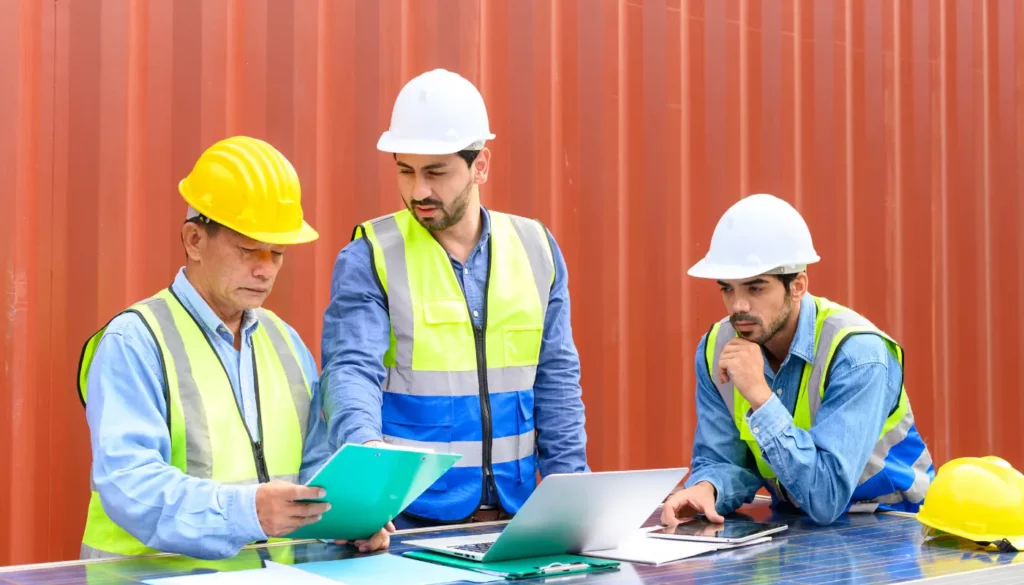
column 368, row 487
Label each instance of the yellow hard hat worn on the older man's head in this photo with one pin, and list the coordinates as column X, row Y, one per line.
column 248, row 186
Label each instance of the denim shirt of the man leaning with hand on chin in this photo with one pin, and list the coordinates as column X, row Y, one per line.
column 821, row 468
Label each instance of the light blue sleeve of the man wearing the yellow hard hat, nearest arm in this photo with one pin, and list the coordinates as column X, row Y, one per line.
column 132, row 452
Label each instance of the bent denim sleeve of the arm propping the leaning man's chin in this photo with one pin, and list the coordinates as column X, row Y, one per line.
column 821, row 469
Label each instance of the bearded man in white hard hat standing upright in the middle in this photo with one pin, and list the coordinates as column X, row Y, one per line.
column 449, row 324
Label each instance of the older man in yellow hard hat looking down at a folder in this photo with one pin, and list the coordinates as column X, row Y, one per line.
column 204, row 408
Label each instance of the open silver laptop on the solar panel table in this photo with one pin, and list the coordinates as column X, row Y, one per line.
column 570, row 514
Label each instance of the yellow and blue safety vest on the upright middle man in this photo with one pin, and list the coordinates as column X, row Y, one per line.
column 453, row 387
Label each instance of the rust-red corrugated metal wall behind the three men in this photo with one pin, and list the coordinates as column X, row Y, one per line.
column 628, row 128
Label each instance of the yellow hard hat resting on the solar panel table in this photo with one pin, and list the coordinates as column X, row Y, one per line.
column 980, row 499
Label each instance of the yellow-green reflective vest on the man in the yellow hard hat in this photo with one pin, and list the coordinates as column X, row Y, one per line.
column 209, row 438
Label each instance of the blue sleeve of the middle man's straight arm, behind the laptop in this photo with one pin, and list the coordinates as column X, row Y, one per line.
column 559, row 410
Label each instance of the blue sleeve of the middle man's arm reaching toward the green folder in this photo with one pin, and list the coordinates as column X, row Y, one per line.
column 357, row 335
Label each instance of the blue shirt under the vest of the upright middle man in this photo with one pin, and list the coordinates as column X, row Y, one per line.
column 357, row 333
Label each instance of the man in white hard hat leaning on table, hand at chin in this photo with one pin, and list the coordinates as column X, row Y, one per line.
column 795, row 393
